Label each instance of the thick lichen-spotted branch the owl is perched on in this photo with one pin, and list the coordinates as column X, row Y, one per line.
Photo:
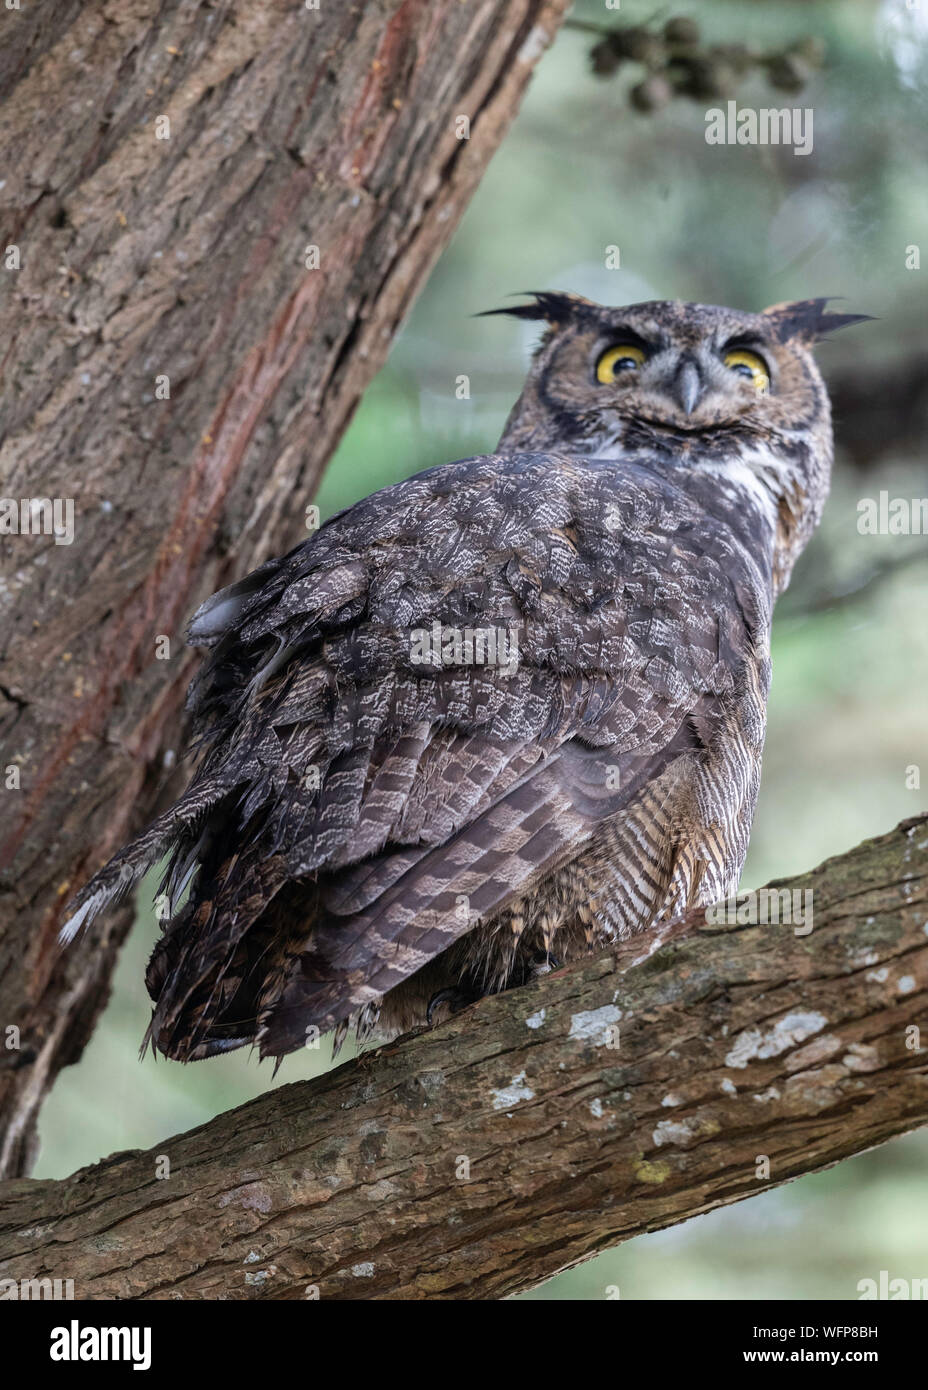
column 477, row 1160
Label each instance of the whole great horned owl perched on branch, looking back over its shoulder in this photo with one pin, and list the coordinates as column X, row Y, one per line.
column 392, row 817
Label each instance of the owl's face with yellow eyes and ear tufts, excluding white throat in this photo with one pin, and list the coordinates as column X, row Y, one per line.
column 683, row 376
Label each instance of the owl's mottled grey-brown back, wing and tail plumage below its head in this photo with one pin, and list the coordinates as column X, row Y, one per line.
column 373, row 786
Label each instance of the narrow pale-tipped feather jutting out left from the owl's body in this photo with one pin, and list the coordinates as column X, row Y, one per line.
column 124, row 871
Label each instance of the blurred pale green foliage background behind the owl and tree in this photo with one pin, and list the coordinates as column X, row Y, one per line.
column 740, row 226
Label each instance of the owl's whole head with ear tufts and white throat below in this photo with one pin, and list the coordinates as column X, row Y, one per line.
column 731, row 404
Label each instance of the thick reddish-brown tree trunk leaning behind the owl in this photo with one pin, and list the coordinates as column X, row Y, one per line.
column 187, row 258
